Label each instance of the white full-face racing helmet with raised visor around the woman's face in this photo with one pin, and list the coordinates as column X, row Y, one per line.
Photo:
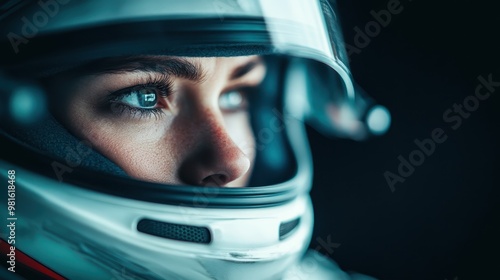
column 79, row 214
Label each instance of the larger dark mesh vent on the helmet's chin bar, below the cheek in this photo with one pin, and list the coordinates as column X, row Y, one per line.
column 175, row 231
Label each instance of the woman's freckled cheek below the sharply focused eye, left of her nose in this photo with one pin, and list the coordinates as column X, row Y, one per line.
column 142, row 150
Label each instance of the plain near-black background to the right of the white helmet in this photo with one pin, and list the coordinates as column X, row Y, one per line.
column 443, row 221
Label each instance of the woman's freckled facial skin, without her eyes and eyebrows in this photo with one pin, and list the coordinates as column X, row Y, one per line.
column 194, row 142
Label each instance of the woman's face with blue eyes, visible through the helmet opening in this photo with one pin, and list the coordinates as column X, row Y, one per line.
column 168, row 119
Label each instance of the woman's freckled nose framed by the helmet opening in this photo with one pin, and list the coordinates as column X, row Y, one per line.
column 212, row 157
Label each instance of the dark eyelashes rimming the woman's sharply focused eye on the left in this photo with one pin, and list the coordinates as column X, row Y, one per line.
column 162, row 84
